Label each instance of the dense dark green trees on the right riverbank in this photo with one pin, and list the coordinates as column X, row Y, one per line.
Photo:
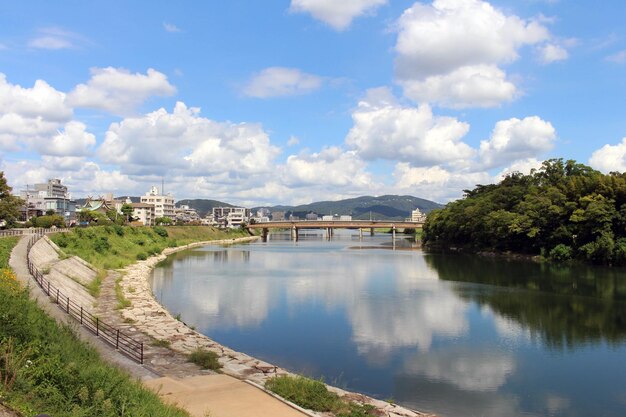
column 563, row 211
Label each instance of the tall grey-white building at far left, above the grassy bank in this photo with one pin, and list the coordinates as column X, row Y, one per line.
column 45, row 197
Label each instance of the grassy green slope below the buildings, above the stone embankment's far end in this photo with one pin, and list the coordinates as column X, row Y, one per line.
column 108, row 247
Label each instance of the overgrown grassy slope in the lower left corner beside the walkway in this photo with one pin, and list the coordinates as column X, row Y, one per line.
column 58, row 374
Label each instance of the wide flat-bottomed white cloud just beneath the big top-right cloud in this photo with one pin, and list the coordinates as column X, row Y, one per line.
column 469, row 86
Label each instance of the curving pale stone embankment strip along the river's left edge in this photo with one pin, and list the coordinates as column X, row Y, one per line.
column 148, row 316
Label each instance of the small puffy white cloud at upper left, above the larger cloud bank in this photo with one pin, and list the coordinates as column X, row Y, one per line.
column 118, row 91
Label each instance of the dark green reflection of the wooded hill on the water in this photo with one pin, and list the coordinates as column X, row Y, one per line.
column 566, row 306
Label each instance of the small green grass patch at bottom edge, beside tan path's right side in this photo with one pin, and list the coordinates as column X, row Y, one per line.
column 313, row 395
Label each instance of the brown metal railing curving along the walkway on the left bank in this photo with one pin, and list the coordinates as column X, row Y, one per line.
column 122, row 342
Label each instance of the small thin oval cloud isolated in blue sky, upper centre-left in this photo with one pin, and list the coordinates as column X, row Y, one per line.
column 280, row 81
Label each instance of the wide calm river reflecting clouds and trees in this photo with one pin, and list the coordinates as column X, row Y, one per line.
column 451, row 334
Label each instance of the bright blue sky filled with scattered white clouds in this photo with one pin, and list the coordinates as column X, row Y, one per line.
column 286, row 102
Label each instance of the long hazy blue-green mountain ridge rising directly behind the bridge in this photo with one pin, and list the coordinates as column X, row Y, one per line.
column 386, row 207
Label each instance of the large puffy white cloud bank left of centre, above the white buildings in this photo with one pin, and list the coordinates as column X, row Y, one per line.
column 182, row 141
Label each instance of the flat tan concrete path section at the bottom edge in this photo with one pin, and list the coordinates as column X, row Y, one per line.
column 220, row 396
